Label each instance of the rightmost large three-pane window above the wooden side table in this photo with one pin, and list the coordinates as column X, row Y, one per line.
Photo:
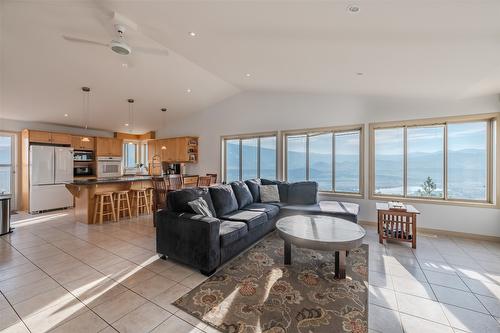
column 447, row 159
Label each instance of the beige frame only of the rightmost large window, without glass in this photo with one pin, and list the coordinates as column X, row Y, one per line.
column 492, row 147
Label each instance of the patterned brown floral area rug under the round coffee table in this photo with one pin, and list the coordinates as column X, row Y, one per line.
column 256, row 293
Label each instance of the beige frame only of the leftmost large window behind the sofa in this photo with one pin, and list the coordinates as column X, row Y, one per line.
column 241, row 137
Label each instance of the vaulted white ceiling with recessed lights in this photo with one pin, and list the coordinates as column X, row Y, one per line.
column 428, row 49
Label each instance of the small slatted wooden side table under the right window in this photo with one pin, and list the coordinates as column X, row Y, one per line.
column 397, row 224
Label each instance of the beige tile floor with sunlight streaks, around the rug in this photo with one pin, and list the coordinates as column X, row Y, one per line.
column 62, row 276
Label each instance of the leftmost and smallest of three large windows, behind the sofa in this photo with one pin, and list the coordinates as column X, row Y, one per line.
column 249, row 156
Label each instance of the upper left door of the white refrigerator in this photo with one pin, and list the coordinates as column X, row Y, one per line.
column 42, row 165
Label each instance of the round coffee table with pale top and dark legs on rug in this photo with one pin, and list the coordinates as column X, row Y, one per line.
column 322, row 233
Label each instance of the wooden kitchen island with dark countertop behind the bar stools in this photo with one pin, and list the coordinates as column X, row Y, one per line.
column 84, row 191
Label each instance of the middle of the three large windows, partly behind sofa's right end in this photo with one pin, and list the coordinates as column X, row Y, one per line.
column 331, row 157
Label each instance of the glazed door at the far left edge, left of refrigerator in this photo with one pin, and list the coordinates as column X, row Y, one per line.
column 7, row 164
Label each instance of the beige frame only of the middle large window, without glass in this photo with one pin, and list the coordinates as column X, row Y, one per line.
column 324, row 130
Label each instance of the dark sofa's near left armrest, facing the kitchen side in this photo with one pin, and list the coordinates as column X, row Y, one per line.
column 189, row 238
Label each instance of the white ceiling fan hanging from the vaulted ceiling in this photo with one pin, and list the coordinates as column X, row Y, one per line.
column 118, row 44
